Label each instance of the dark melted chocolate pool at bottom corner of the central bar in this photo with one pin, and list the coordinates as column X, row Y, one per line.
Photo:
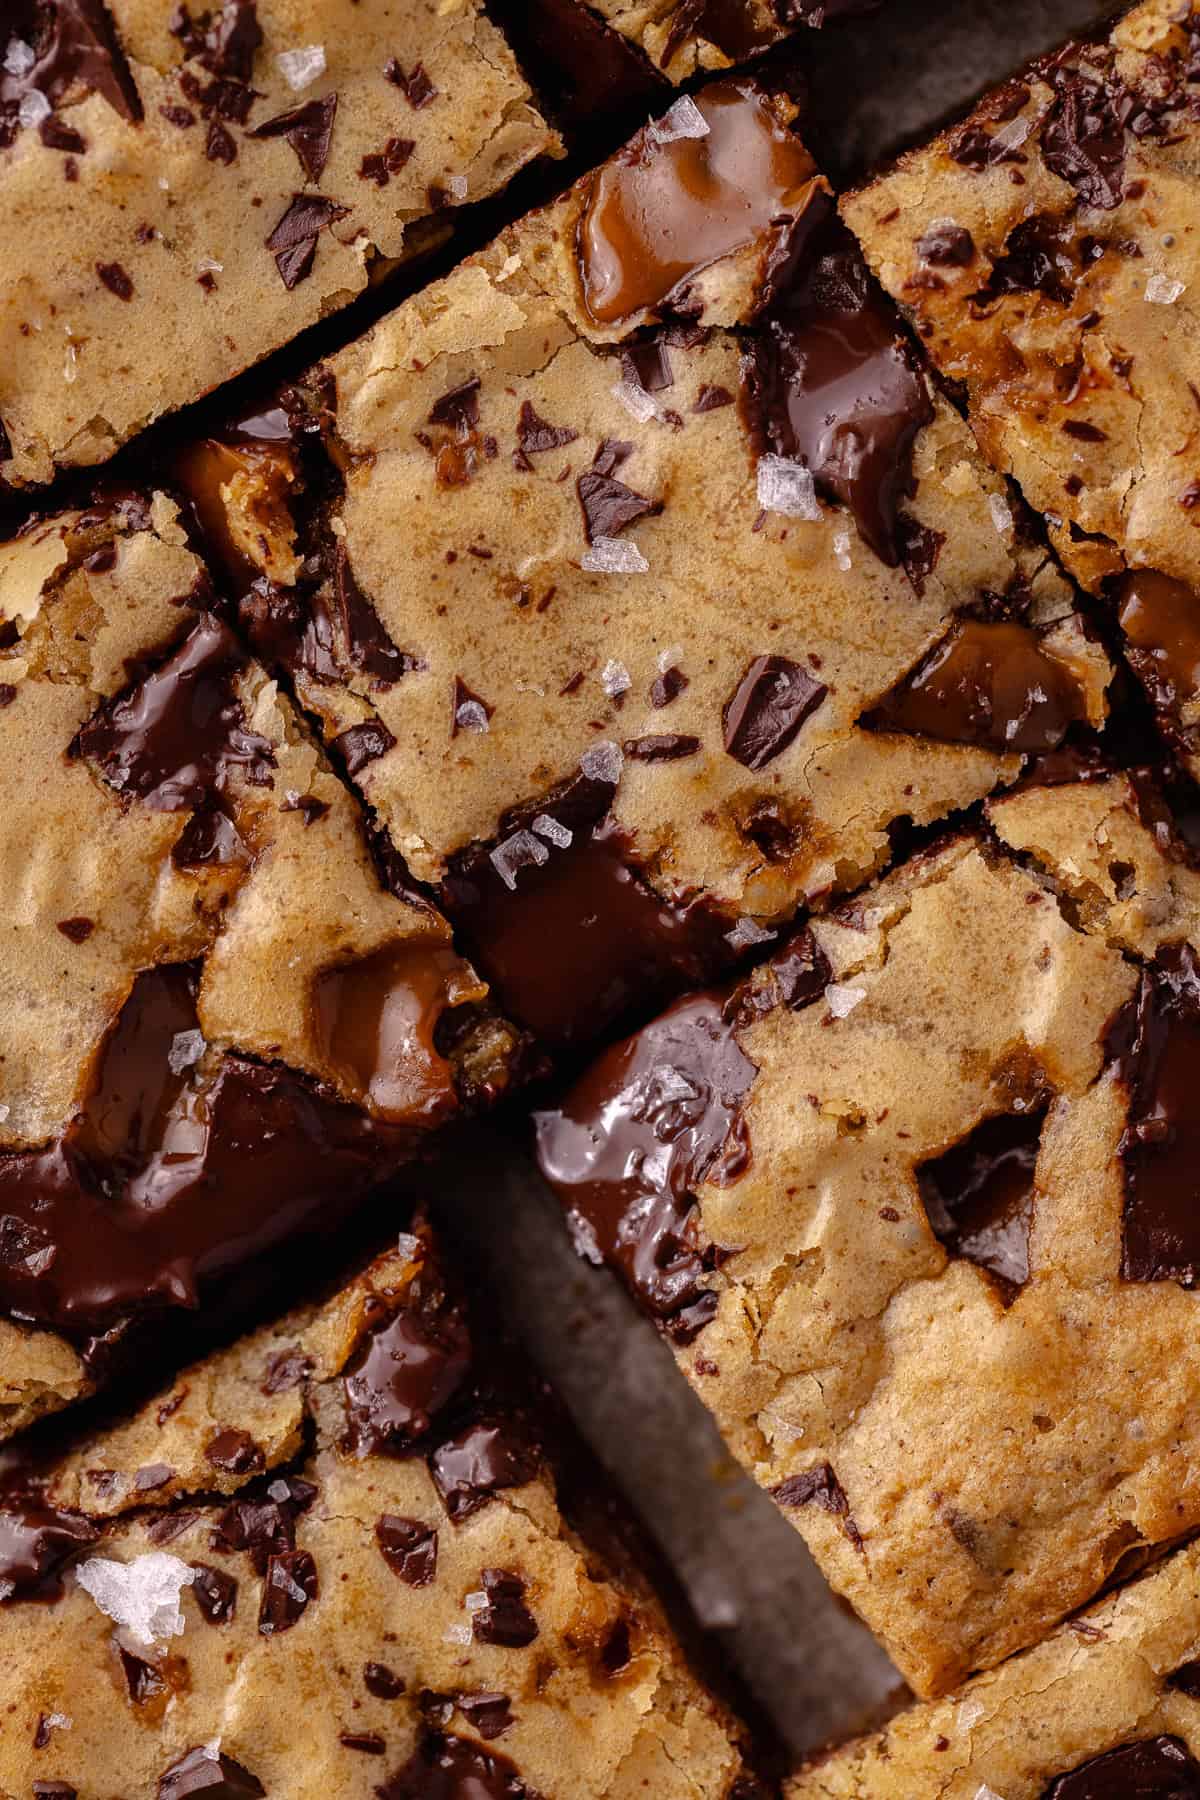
column 571, row 937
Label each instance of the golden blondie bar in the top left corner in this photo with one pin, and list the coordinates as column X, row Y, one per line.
column 145, row 274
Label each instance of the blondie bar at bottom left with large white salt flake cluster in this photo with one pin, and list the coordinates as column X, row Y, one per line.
column 334, row 1585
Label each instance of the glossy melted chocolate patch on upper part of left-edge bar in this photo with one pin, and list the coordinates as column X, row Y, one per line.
column 175, row 737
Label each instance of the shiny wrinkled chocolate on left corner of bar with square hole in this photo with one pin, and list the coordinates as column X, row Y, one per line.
column 649, row 1124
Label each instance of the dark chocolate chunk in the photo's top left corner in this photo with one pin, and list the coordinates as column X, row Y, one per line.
column 75, row 46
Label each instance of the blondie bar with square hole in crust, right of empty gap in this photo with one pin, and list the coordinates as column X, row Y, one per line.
column 971, row 1430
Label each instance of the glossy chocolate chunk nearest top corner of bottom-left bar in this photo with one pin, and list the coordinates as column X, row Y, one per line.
column 404, row 1376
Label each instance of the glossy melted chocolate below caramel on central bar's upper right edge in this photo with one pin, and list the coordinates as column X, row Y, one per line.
column 832, row 381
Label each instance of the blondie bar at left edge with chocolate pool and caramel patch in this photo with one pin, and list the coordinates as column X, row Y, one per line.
column 159, row 946
